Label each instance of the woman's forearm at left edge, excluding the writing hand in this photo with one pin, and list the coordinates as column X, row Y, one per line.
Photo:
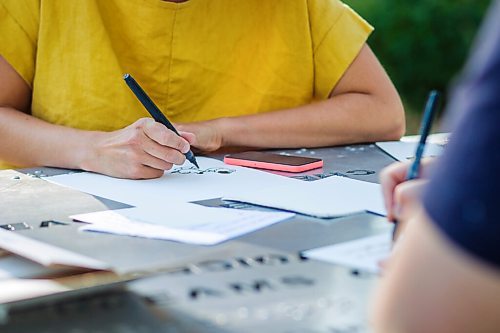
column 28, row 141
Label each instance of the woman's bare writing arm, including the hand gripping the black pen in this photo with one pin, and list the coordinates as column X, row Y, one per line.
column 142, row 150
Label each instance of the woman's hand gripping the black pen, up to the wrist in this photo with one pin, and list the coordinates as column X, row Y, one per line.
column 142, row 150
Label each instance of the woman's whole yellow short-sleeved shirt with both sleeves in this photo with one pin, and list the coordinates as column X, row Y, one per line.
column 198, row 60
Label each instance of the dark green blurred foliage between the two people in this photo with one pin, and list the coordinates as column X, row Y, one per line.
column 422, row 44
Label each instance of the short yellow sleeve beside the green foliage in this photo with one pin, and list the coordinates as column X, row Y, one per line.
column 338, row 34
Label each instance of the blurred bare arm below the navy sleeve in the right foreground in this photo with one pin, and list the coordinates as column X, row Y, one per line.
column 434, row 287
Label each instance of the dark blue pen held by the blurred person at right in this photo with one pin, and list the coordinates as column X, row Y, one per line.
column 425, row 128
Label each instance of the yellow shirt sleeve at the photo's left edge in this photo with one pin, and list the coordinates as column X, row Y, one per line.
column 19, row 21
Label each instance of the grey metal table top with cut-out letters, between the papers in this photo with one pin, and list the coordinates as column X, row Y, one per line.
column 258, row 281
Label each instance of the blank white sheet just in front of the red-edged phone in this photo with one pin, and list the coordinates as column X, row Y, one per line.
column 329, row 197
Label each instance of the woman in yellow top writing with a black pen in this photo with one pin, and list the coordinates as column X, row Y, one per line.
column 254, row 73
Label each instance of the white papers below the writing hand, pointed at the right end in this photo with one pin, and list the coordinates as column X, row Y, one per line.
column 183, row 222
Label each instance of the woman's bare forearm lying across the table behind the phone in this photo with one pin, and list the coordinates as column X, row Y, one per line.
column 343, row 119
